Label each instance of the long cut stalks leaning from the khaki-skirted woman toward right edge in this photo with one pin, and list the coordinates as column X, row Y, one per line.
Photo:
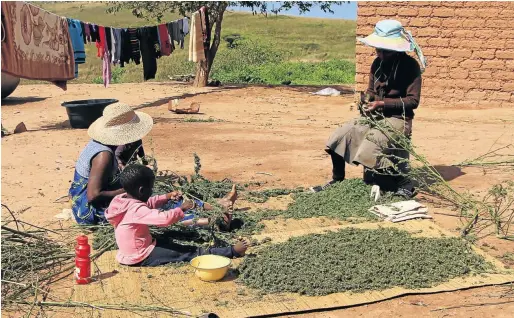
column 485, row 211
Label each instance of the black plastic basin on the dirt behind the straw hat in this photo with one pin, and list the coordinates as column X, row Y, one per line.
column 82, row 113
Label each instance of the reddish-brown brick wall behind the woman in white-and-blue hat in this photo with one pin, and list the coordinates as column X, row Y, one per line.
column 469, row 47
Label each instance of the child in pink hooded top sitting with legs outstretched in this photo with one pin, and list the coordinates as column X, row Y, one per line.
column 133, row 212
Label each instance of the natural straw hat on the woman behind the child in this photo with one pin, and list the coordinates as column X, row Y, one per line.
column 120, row 125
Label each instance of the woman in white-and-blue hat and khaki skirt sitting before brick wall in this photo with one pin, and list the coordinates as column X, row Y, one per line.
column 394, row 92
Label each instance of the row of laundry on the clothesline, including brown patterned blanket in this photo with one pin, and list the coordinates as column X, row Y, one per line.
column 116, row 45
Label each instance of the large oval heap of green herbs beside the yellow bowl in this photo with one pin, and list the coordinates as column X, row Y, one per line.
column 358, row 260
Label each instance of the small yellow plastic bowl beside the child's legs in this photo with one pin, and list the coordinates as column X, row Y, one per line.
column 211, row 267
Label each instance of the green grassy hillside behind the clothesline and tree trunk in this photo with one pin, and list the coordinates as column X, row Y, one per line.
column 270, row 50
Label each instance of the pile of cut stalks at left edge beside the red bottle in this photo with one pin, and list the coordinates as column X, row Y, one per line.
column 30, row 260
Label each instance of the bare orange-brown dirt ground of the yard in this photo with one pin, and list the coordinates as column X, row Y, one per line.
column 277, row 131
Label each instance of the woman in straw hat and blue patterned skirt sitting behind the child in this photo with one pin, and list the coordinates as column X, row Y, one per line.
column 95, row 182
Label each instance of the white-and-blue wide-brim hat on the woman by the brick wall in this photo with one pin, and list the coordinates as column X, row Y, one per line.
column 388, row 35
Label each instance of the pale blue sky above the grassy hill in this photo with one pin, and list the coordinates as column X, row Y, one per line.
column 344, row 11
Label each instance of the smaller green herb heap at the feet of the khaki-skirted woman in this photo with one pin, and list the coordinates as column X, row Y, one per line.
column 347, row 199
